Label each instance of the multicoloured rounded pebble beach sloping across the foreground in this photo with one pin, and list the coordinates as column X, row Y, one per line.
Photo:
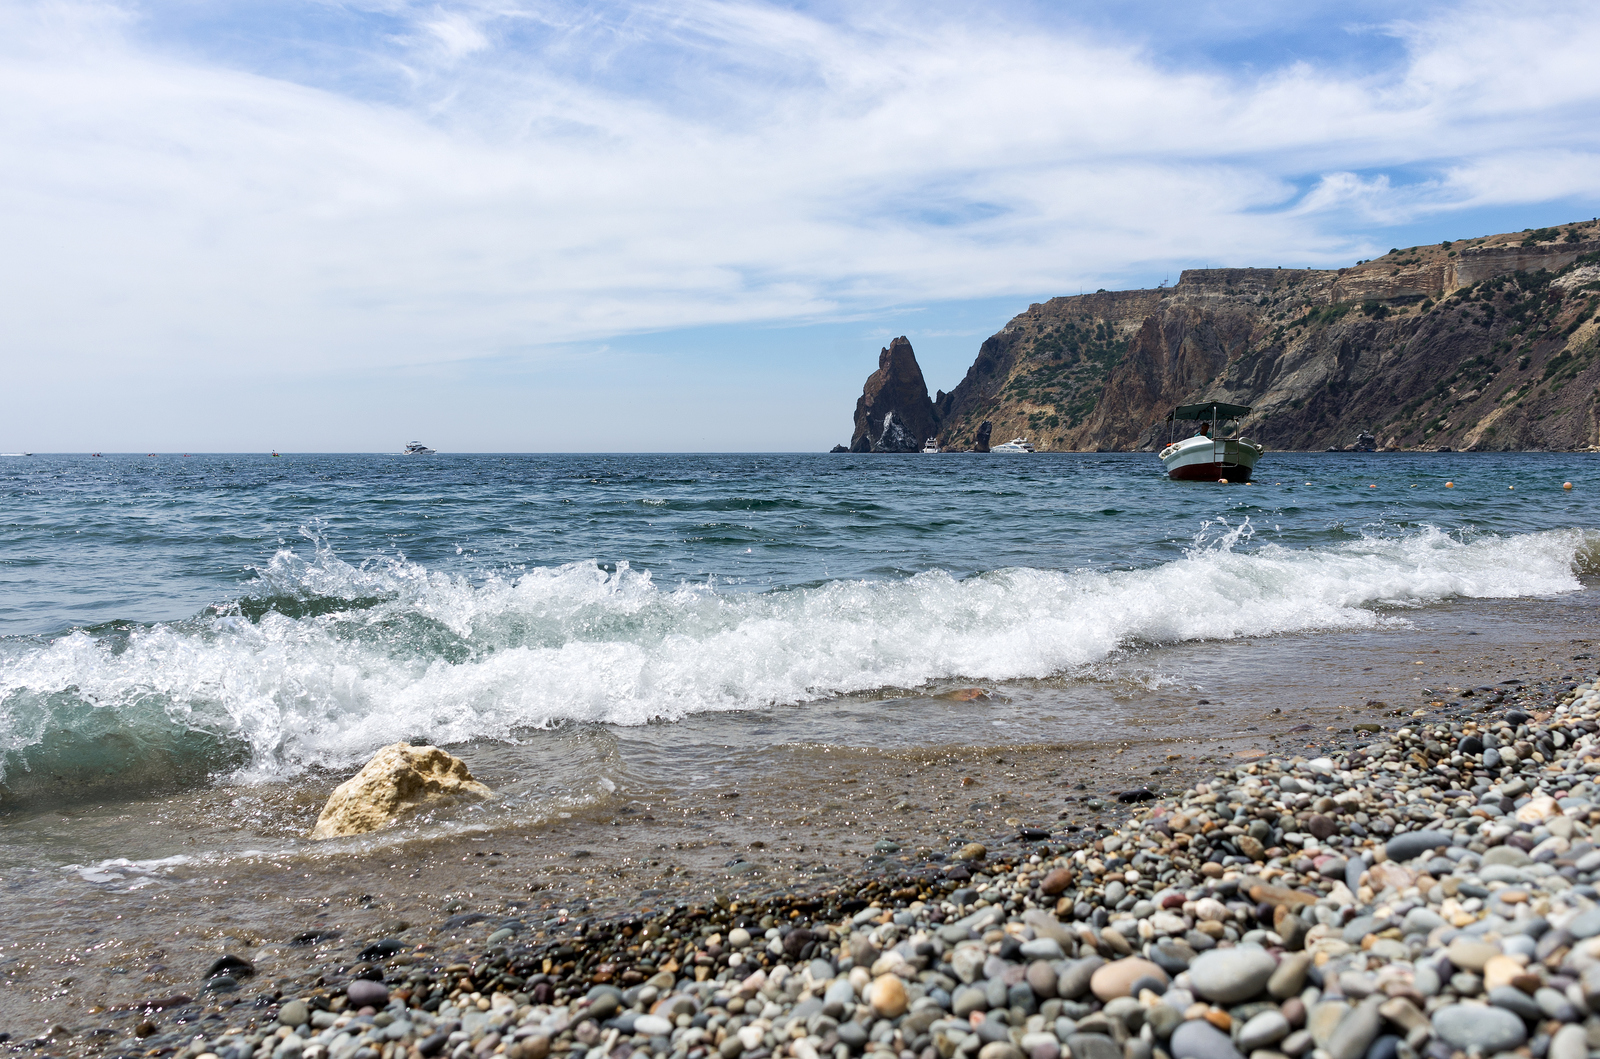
column 1428, row 892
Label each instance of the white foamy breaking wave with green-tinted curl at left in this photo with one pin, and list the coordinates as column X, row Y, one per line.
column 324, row 661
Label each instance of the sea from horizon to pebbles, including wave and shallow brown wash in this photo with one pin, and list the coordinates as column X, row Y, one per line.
column 196, row 649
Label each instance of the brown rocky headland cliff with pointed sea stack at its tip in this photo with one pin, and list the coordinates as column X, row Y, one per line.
column 1487, row 343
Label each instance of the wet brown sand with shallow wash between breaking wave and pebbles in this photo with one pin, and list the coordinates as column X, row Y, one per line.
column 721, row 805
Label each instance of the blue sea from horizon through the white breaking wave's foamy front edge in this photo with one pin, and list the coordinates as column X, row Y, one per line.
column 172, row 623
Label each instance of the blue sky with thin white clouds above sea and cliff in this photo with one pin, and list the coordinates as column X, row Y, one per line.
column 690, row 226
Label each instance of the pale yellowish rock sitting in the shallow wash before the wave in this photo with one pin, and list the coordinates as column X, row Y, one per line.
column 399, row 780
